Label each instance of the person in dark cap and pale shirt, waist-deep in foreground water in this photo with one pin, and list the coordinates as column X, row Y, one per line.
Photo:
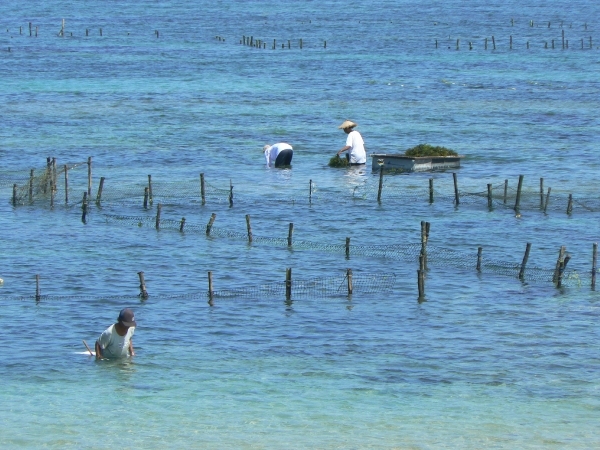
column 115, row 341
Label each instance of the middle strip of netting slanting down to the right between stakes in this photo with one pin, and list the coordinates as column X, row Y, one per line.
column 410, row 252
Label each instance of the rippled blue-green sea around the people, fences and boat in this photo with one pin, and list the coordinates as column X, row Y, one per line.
column 485, row 362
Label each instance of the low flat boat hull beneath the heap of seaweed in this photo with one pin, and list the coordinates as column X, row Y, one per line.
column 402, row 163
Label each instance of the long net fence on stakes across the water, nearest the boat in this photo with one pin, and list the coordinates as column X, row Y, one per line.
column 49, row 185
